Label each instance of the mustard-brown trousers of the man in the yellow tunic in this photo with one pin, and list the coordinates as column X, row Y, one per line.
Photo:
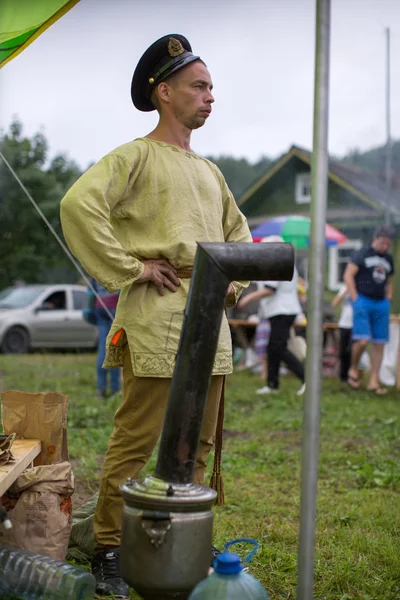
column 137, row 426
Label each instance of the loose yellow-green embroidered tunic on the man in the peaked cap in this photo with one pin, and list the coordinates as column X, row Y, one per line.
column 149, row 199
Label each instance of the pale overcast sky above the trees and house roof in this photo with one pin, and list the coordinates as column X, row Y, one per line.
column 74, row 80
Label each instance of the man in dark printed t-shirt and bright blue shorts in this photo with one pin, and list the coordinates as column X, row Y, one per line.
column 368, row 277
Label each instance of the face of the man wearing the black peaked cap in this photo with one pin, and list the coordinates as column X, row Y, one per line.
column 190, row 95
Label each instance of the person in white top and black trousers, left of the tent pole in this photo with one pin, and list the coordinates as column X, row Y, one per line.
column 279, row 302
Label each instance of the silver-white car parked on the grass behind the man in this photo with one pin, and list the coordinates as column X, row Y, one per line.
column 44, row 316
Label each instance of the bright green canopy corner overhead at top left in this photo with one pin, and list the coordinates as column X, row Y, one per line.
column 23, row 21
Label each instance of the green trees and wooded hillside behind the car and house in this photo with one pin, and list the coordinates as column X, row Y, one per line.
column 29, row 251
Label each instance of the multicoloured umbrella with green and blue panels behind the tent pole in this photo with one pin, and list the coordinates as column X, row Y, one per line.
column 296, row 230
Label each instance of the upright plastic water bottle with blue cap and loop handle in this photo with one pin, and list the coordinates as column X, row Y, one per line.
column 229, row 581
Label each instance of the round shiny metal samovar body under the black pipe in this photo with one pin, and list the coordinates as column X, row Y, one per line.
column 168, row 530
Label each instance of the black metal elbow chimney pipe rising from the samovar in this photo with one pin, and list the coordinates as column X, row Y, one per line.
column 216, row 264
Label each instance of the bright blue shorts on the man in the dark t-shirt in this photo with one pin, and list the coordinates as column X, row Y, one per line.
column 371, row 319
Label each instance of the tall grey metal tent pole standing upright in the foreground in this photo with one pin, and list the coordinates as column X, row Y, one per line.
column 319, row 184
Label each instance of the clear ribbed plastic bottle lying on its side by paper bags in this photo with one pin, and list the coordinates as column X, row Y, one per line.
column 37, row 577
